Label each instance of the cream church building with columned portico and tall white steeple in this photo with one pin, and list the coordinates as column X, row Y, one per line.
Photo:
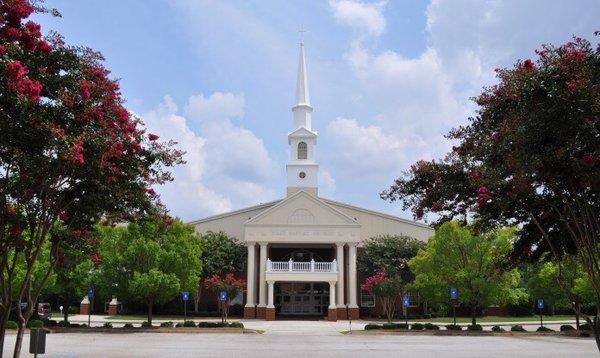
column 302, row 249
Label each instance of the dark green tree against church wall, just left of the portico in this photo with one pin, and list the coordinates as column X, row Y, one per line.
column 220, row 254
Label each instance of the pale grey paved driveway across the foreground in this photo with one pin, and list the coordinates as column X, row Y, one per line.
column 292, row 344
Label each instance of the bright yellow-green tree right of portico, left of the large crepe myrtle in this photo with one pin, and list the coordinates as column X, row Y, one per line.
column 474, row 264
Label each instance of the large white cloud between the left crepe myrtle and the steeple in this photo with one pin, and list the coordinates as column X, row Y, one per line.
column 227, row 165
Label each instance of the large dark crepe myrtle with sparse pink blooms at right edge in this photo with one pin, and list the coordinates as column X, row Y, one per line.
column 530, row 157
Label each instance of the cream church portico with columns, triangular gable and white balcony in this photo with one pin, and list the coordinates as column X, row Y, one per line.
column 303, row 250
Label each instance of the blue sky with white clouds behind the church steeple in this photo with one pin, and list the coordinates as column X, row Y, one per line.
column 387, row 81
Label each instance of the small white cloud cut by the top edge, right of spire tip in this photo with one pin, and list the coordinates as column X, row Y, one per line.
column 365, row 17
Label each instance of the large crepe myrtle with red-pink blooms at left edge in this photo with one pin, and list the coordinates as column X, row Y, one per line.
column 70, row 153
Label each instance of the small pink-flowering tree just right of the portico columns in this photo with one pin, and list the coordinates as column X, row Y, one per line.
column 386, row 289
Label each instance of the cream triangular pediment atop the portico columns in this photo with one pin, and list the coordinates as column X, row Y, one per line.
column 302, row 209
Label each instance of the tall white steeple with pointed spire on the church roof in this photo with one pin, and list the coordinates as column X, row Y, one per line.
column 302, row 170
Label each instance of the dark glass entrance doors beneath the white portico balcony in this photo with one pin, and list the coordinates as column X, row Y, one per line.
column 301, row 298
